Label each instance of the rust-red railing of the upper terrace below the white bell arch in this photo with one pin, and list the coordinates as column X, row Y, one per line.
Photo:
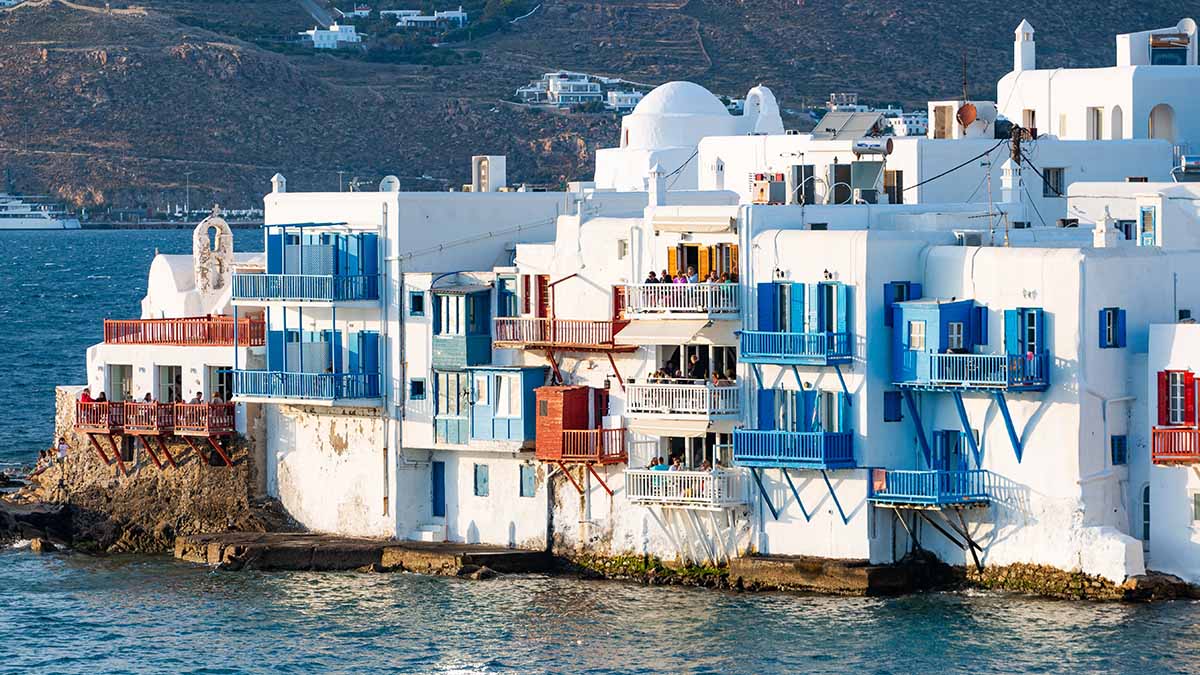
column 190, row 332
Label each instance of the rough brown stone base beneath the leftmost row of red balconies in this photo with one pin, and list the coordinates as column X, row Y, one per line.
column 146, row 507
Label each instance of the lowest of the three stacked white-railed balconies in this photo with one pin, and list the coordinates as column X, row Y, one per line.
column 709, row 491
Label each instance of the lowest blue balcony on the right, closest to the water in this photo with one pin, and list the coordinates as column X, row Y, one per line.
column 932, row 489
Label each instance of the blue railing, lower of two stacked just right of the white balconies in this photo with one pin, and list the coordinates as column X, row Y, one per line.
column 794, row 450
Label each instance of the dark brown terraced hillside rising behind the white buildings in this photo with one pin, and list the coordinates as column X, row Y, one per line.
column 112, row 109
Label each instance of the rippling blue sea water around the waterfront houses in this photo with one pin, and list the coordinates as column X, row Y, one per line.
column 143, row 616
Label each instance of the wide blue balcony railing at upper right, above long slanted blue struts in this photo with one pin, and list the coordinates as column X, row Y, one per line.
column 995, row 373
